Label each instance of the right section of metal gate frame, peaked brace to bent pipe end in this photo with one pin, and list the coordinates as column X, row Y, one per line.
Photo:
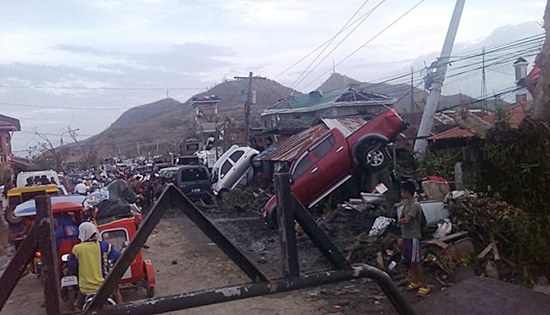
column 289, row 210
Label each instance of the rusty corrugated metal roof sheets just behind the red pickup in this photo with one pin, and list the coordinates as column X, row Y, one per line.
column 288, row 149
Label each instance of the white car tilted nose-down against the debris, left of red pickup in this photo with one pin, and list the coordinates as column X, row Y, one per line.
column 233, row 168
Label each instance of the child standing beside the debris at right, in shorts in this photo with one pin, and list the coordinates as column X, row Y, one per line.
column 411, row 233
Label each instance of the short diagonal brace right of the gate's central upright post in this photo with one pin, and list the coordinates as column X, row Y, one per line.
column 319, row 238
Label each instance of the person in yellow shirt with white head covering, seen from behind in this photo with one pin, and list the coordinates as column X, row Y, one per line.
column 91, row 258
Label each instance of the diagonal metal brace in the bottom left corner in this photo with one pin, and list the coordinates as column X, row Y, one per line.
column 17, row 265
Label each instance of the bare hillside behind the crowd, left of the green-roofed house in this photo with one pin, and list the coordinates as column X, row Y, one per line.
column 159, row 127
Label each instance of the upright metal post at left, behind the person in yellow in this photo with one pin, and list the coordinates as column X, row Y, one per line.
column 46, row 244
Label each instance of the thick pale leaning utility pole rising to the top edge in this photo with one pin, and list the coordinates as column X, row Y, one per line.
column 435, row 88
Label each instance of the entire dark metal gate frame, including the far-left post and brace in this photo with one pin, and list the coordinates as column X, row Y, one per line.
column 289, row 210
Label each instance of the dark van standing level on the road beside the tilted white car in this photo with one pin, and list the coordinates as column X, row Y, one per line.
column 192, row 180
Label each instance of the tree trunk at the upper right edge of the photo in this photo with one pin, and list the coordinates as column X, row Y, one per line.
column 541, row 88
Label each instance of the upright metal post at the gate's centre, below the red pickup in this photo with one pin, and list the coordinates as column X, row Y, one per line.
column 287, row 231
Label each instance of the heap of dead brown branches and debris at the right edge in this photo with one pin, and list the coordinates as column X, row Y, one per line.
column 505, row 237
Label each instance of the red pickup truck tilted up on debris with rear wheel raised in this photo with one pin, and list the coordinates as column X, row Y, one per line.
column 328, row 162
